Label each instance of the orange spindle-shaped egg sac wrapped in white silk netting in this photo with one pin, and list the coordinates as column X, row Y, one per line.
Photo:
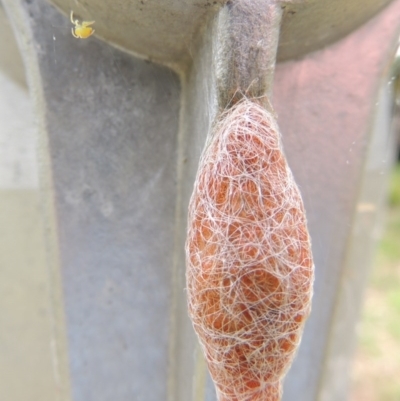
column 249, row 262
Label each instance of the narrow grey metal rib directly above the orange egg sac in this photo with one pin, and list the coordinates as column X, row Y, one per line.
column 245, row 55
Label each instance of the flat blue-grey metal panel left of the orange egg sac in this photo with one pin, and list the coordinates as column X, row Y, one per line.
column 109, row 132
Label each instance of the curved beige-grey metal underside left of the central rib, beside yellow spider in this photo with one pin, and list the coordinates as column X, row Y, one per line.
column 157, row 30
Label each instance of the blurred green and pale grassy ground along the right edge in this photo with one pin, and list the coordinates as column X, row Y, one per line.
column 376, row 369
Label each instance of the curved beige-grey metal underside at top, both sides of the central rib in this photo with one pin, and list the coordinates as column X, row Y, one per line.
column 164, row 30
